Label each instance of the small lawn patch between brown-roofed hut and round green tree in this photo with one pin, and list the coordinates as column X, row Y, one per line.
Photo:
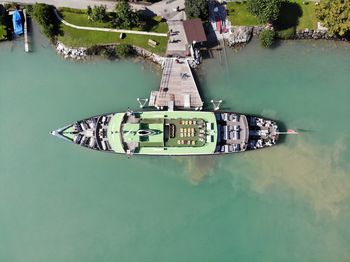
column 239, row 15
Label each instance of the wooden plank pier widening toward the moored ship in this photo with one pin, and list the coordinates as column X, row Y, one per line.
column 177, row 88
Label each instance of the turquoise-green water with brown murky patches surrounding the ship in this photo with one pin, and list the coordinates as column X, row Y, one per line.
column 60, row 202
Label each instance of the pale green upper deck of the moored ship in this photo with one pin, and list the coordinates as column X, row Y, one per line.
column 155, row 143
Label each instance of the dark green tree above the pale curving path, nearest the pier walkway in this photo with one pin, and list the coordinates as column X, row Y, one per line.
column 125, row 16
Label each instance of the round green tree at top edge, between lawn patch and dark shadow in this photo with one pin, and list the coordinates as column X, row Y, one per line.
column 265, row 10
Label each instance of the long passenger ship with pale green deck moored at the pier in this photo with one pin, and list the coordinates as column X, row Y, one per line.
column 172, row 133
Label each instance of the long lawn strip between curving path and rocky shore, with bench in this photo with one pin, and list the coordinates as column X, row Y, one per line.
column 82, row 38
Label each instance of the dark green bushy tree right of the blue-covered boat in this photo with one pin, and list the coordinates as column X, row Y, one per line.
column 44, row 15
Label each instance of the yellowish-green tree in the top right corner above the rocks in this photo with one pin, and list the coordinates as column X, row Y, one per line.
column 335, row 15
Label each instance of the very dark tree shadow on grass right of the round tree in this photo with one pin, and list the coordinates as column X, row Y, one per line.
column 289, row 16
